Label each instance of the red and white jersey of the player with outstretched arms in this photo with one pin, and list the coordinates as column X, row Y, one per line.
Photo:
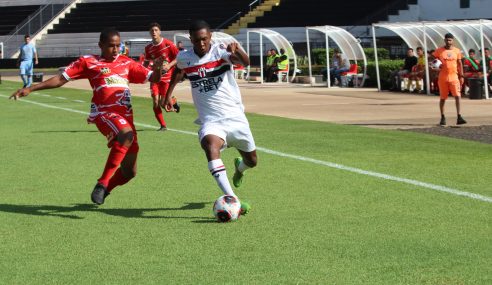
column 109, row 81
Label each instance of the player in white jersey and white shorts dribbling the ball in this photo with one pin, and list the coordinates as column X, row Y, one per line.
column 218, row 101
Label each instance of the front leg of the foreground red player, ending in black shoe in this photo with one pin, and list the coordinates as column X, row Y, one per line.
column 121, row 136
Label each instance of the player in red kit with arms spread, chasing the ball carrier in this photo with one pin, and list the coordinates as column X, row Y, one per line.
column 111, row 110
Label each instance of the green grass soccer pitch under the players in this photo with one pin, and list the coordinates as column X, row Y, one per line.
column 331, row 204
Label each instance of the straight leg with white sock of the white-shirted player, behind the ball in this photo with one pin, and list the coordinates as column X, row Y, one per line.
column 212, row 145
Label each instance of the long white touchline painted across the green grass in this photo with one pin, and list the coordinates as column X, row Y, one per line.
column 315, row 161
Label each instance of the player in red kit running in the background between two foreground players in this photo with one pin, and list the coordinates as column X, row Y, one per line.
column 167, row 51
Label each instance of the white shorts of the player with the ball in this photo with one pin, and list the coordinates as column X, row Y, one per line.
column 234, row 131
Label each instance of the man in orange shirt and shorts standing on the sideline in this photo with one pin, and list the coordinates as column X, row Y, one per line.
column 450, row 76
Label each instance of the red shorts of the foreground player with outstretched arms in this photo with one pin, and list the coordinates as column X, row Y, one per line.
column 110, row 124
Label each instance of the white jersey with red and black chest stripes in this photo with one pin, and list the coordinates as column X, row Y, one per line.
column 214, row 89
